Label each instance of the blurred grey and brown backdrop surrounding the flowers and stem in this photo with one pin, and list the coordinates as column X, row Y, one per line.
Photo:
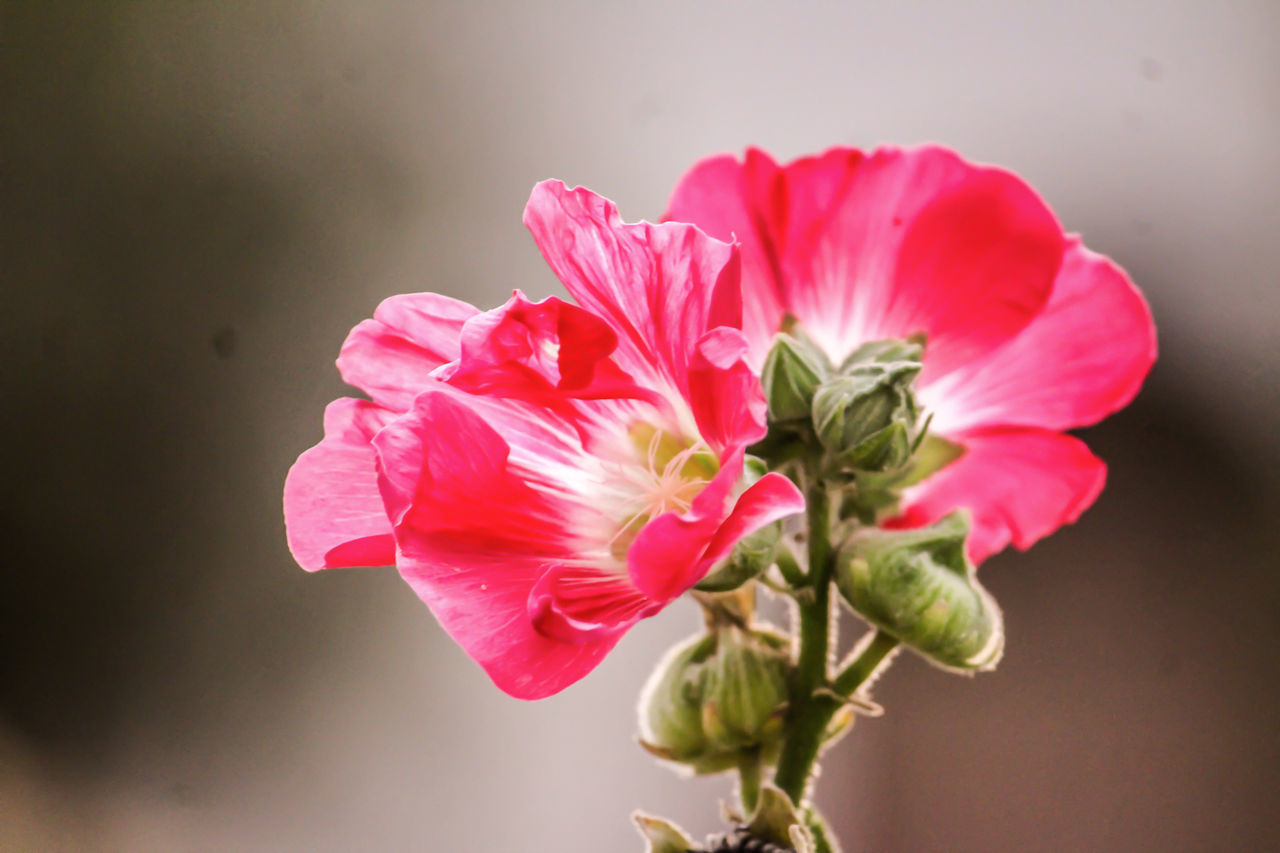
column 199, row 200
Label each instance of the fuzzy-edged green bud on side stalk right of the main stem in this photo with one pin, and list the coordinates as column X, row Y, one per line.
column 921, row 587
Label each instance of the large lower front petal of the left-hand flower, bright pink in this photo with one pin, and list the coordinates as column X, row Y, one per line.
column 474, row 539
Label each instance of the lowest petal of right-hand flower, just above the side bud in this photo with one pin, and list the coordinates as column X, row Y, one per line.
column 1020, row 485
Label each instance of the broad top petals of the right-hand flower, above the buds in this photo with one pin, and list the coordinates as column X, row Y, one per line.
column 861, row 248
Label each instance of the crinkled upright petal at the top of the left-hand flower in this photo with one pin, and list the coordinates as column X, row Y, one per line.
column 660, row 288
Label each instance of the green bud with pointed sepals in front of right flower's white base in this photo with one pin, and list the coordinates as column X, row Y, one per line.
column 868, row 418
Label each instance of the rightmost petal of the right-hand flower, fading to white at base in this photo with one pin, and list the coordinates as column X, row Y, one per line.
column 1084, row 358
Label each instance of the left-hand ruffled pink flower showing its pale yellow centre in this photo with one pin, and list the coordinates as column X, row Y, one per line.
column 547, row 475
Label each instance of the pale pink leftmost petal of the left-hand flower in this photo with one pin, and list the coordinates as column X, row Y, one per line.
column 333, row 513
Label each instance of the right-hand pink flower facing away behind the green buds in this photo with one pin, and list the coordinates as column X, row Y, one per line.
column 1028, row 334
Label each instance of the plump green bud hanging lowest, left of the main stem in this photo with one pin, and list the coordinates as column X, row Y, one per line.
column 716, row 696
